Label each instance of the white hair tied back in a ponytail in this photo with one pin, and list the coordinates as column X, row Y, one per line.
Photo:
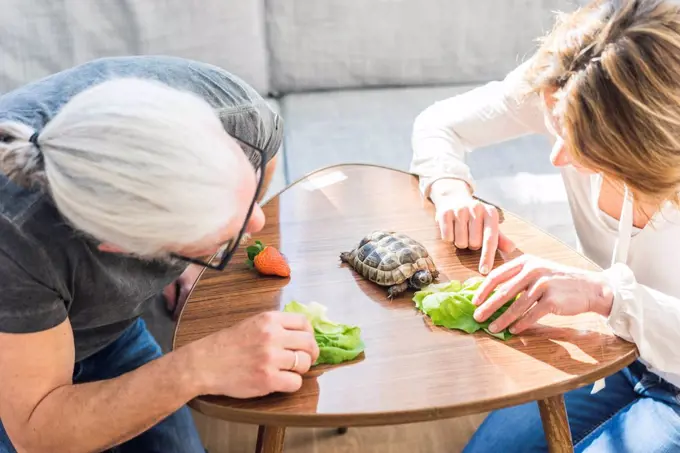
column 133, row 163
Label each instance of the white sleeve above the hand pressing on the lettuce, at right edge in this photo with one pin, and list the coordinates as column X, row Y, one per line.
column 648, row 318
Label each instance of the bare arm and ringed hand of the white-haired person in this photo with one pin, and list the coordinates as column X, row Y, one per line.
column 42, row 410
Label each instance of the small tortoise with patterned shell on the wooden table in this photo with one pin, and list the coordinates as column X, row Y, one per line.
column 392, row 259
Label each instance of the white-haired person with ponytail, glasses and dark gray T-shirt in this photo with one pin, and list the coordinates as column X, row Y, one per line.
column 116, row 175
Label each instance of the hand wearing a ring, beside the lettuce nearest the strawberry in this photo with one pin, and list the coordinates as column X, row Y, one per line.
column 255, row 357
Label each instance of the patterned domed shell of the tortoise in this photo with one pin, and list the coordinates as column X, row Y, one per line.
column 389, row 258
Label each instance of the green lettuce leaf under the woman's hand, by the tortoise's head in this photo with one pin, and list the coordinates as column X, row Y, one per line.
column 449, row 304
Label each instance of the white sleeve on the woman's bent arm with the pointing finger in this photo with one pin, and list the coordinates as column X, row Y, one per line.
column 485, row 115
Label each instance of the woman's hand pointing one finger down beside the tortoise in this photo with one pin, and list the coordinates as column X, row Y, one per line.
column 468, row 223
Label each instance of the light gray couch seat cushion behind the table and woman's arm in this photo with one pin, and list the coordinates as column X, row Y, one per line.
column 374, row 126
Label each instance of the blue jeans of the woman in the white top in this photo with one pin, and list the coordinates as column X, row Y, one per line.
column 636, row 412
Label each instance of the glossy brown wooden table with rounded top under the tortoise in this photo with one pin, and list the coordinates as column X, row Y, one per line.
column 411, row 371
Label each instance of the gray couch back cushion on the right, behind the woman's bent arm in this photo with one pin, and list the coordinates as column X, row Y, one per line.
column 354, row 43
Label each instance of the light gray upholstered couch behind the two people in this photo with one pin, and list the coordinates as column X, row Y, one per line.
column 349, row 76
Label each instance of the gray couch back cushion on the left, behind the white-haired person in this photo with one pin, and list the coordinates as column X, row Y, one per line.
column 41, row 37
